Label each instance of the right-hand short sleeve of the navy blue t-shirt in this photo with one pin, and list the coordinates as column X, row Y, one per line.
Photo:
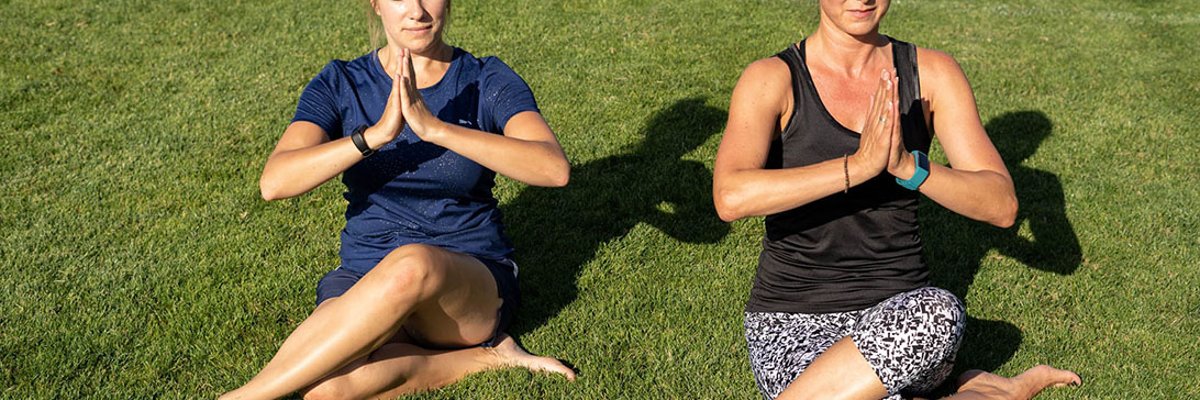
column 503, row 94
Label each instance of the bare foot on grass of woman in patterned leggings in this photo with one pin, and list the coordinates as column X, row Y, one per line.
column 1022, row 387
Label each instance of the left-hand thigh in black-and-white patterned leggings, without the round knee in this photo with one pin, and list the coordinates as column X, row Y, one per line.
column 783, row 345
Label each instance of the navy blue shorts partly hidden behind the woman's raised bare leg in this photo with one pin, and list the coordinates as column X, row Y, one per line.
column 340, row 280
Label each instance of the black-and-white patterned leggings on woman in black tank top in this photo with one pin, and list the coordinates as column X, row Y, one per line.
column 909, row 339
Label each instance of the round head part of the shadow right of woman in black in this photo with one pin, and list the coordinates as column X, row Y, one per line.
column 1018, row 135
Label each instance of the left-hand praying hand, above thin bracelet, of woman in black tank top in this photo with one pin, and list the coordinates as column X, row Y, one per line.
column 875, row 141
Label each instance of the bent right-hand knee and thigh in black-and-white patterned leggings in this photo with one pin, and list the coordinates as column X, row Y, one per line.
column 913, row 338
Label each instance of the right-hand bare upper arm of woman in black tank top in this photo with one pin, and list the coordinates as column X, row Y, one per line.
column 956, row 118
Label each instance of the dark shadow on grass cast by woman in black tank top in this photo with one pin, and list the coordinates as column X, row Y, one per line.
column 956, row 247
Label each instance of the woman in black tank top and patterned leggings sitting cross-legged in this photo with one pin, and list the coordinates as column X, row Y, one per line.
column 829, row 141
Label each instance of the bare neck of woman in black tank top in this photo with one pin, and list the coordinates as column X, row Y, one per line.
column 842, row 51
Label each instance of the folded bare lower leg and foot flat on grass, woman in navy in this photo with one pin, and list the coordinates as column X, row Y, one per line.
column 400, row 369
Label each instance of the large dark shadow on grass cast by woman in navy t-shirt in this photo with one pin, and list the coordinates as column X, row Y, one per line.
column 557, row 231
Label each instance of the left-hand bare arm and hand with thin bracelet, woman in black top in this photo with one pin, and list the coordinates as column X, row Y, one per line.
column 763, row 100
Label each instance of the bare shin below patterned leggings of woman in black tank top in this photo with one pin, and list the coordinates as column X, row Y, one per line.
column 841, row 373
